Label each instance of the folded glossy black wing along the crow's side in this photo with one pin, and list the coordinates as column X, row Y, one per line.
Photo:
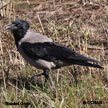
column 51, row 51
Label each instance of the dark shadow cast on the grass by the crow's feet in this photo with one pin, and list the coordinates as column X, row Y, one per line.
column 23, row 82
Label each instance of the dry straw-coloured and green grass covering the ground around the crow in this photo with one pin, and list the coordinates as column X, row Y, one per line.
column 81, row 25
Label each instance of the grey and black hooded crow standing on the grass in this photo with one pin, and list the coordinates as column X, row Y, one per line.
column 41, row 52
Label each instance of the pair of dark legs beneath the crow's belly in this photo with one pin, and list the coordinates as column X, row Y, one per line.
column 45, row 73
